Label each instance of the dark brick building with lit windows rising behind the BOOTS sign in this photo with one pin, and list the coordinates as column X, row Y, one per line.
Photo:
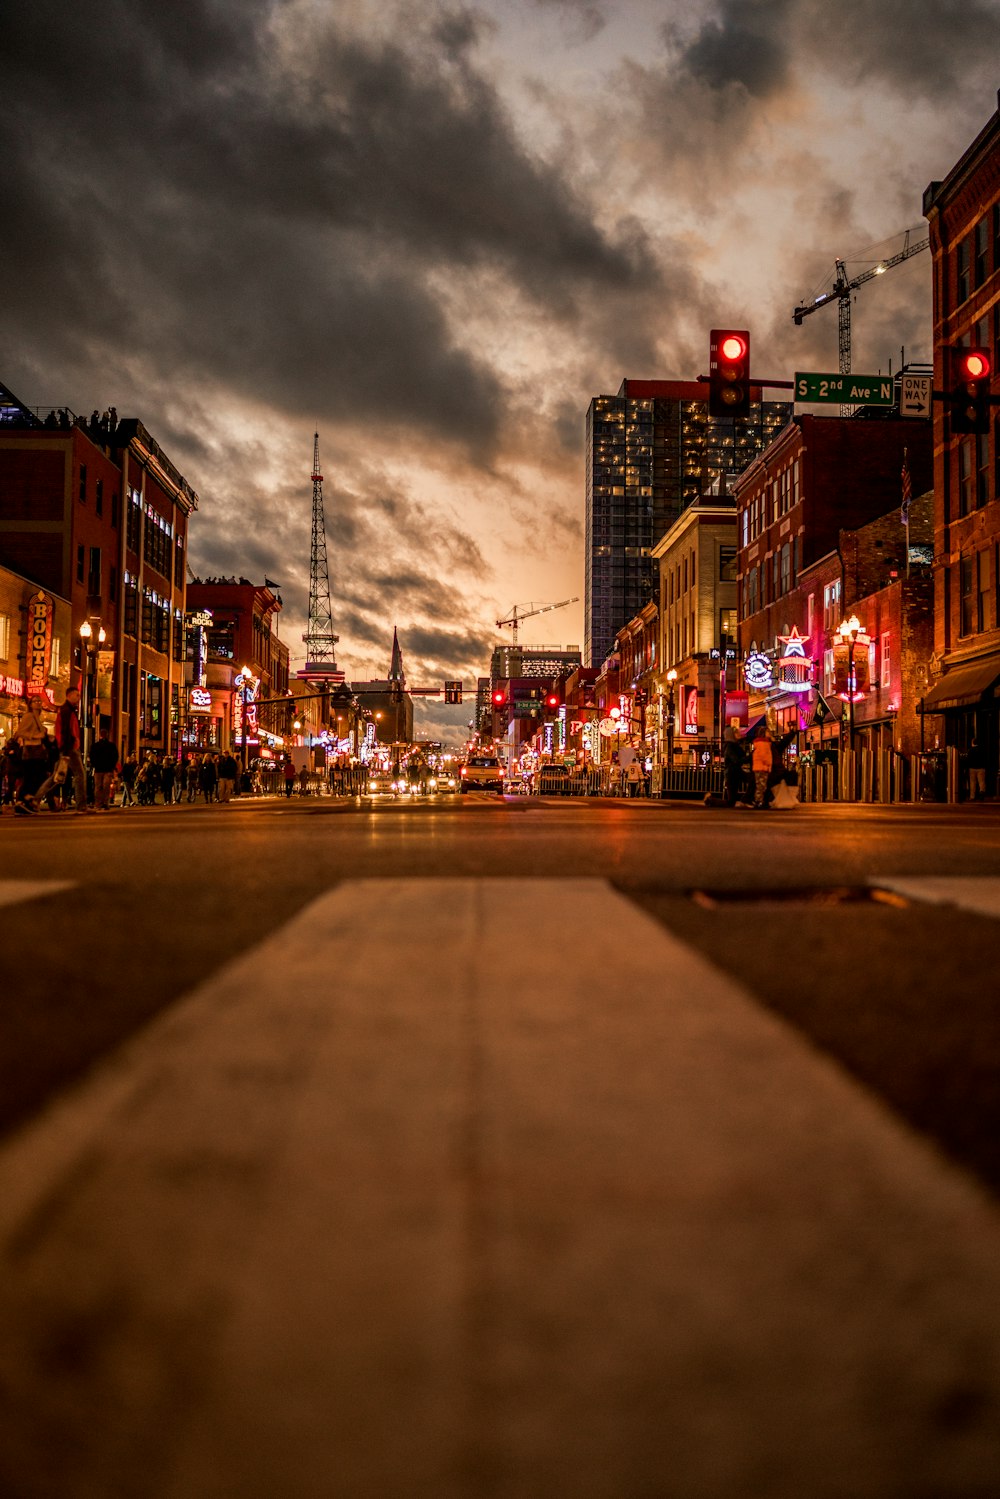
column 98, row 515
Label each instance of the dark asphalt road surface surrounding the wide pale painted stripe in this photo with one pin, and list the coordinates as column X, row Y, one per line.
column 900, row 993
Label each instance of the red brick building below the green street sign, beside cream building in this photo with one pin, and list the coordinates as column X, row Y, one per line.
column 819, row 530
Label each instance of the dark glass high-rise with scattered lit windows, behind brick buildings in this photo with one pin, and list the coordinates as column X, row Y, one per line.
column 651, row 452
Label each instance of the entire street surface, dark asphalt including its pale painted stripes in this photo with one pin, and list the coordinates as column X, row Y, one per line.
column 497, row 1149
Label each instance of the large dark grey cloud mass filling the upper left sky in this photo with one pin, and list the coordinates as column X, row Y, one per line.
column 269, row 212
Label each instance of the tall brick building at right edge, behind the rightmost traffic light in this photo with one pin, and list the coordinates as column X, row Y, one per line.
column 963, row 214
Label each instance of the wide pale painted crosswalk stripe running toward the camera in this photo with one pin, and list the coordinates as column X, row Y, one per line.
column 430, row 1198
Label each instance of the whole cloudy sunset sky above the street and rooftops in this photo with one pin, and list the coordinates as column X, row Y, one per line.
column 433, row 232
